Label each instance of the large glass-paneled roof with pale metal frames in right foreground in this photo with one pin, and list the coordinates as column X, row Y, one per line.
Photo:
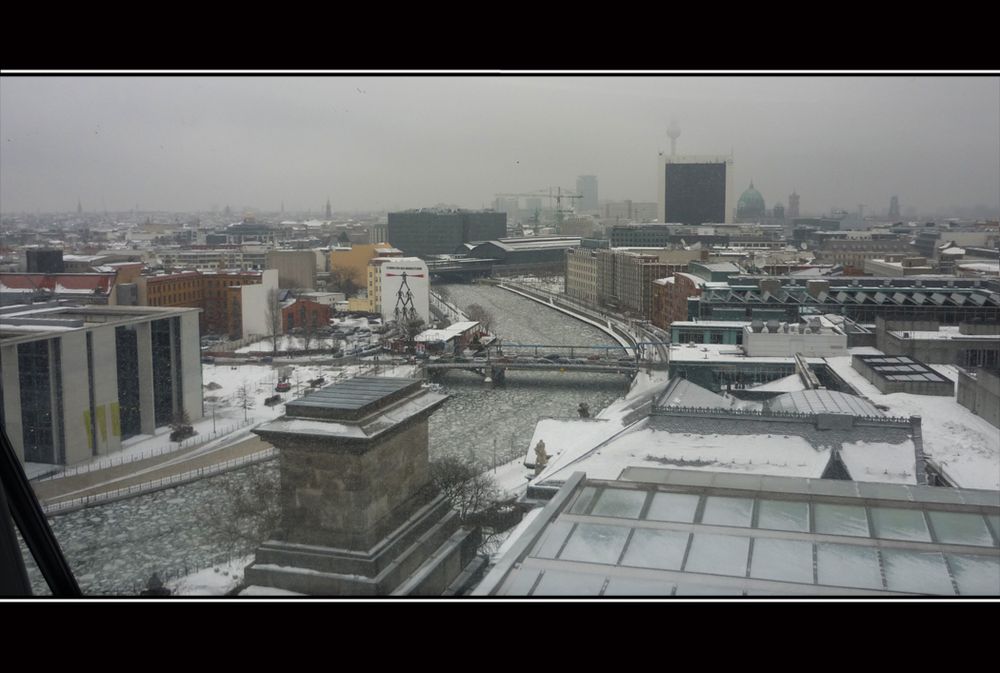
column 672, row 533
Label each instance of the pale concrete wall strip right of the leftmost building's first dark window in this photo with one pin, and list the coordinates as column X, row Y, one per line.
column 75, row 397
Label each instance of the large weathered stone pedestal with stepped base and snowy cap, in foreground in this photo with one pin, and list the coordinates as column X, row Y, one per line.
column 360, row 516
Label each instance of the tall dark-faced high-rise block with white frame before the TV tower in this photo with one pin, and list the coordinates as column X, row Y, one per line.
column 695, row 189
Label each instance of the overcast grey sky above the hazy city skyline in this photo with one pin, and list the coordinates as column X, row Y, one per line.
column 188, row 143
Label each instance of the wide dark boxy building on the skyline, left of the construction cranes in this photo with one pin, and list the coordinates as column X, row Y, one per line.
column 437, row 232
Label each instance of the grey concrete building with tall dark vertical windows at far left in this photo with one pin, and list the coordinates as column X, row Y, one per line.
column 79, row 380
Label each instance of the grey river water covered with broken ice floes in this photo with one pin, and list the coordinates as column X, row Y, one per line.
column 114, row 548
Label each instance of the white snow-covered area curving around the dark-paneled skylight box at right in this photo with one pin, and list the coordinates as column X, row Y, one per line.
column 966, row 446
